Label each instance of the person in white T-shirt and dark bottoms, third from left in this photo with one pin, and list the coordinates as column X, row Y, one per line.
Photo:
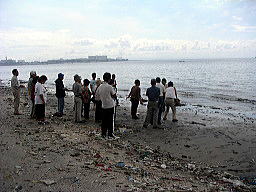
column 40, row 99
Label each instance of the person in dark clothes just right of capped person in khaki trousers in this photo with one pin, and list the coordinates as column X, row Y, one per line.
column 86, row 98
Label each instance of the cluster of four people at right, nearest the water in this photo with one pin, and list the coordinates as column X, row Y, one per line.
column 161, row 97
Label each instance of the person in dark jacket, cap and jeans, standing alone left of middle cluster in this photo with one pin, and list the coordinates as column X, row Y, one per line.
column 60, row 93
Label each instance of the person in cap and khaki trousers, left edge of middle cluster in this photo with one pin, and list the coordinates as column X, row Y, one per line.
column 77, row 90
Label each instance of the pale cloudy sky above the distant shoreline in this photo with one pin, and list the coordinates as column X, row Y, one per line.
column 133, row 29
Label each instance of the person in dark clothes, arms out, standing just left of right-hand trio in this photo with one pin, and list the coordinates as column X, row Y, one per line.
column 135, row 98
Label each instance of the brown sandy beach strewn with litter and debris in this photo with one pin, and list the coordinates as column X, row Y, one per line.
column 198, row 153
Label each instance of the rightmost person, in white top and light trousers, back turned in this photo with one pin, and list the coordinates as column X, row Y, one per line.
column 170, row 95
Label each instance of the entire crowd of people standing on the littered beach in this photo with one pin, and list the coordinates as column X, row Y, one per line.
column 103, row 96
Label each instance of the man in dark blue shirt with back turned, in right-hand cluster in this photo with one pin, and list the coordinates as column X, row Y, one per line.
column 153, row 94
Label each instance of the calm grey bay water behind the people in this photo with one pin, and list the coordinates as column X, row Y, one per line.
column 222, row 86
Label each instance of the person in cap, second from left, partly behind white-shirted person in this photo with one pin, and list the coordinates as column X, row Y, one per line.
column 31, row 90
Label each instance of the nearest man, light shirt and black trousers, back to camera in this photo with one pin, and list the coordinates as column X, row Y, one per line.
column 106, row 94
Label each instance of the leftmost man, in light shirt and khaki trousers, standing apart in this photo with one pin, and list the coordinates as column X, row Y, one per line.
column 15, row 85
